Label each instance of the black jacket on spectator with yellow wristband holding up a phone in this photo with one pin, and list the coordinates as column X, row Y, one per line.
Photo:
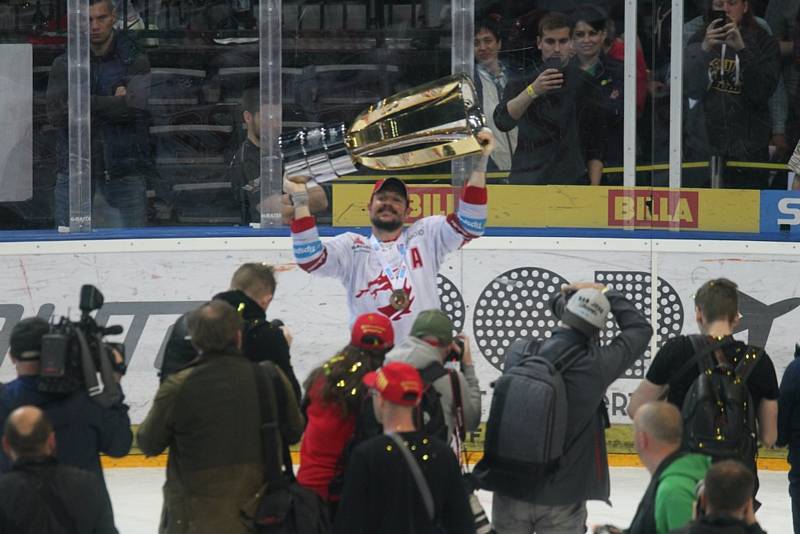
column 558, row 133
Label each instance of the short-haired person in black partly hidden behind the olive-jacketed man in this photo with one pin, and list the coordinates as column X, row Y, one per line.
column 252, row 289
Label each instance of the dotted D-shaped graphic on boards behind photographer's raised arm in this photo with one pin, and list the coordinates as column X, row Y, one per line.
column 636, row 287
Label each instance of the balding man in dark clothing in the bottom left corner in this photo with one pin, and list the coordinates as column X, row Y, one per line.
column 40, row 495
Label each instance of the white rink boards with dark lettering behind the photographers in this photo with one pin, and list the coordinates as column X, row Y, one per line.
column 495, row 288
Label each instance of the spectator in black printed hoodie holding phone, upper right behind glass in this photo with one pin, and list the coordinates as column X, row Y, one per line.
column 732, row 67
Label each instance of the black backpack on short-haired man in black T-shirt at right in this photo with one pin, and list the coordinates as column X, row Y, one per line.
column 719, row 418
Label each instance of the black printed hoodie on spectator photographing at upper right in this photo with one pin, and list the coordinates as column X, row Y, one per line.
column 735, row 92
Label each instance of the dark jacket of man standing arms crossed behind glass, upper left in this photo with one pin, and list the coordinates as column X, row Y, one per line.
column 120, row 144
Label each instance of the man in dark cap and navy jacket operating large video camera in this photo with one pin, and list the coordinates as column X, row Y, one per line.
column 83, row 428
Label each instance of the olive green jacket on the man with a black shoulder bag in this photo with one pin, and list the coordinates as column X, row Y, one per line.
column 208, row 416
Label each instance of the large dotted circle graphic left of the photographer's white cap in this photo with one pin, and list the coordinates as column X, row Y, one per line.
column 514, row 305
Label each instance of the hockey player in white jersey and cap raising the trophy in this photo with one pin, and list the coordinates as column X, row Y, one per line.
column 393, row 271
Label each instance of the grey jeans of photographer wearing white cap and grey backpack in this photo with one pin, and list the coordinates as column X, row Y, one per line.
column 510, row 516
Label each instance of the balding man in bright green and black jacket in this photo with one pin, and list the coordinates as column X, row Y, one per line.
column 669, row 500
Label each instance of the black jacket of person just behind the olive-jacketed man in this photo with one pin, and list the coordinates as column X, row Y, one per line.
column 262, row 341
